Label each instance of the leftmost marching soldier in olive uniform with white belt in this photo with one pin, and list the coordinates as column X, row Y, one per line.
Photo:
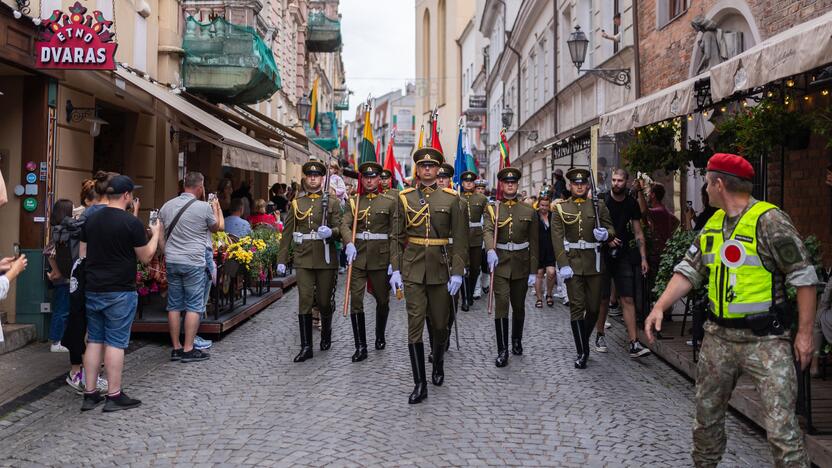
column 314, row 243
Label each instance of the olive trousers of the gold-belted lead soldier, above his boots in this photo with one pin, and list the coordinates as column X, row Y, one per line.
column 427, row 300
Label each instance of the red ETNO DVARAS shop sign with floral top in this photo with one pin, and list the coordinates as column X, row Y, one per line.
column 76, row 41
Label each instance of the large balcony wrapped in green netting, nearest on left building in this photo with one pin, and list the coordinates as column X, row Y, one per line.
column 227, row 63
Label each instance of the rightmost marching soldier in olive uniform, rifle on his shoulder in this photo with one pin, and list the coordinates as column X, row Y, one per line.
column 577, row 238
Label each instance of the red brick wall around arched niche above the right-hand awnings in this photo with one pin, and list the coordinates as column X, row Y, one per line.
column 665, row 53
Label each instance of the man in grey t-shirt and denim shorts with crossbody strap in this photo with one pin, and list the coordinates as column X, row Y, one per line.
column 185, row 248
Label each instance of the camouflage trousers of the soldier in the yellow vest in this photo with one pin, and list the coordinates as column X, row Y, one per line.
column 727, row 354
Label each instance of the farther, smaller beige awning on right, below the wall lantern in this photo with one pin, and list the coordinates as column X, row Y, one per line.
column 674, row 101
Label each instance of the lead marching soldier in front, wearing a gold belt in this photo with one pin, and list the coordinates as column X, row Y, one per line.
column 432, row 264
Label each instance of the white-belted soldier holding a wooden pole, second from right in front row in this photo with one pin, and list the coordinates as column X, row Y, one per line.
column 513, row 259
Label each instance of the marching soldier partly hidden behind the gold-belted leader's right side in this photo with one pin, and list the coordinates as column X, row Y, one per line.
column 473, row 205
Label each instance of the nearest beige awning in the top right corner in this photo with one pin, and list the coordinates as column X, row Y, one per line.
column 799, row 49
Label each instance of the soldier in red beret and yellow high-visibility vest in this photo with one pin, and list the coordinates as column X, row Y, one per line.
column 747, row 254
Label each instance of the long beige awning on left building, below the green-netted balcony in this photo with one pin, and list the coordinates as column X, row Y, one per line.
column 238, row 149
